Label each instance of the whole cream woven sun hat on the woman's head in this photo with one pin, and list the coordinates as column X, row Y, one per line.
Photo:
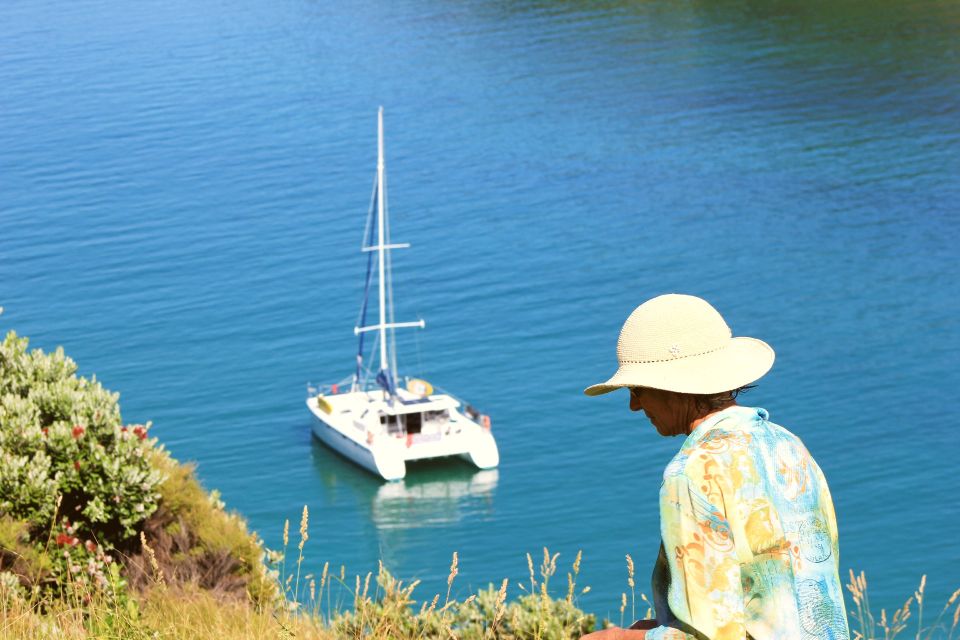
column 680, row 343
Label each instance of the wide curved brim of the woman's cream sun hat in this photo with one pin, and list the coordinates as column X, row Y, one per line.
column 740, row 362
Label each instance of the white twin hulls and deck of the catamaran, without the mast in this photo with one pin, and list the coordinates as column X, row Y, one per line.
column 350, row 425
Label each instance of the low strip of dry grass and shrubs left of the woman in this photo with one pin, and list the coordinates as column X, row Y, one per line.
column 376, row 607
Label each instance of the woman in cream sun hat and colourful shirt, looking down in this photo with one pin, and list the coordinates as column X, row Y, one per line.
column 748, row 531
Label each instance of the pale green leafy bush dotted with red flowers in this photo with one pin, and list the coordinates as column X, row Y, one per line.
column 69, row 467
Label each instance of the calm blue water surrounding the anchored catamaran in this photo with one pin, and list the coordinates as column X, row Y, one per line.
column 182, row 194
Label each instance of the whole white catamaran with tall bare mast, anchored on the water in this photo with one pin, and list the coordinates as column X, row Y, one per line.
column 378, row 422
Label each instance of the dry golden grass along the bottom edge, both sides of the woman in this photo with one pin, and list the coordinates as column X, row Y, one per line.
column 377, row 606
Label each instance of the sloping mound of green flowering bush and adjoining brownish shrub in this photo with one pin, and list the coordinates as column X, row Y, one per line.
column 90, row 505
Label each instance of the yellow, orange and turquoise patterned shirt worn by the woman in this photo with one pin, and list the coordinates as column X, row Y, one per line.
column 749, row 537
